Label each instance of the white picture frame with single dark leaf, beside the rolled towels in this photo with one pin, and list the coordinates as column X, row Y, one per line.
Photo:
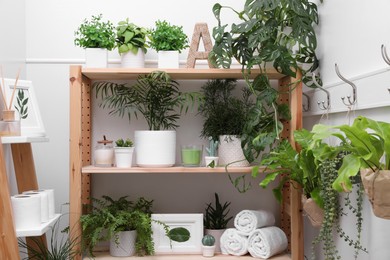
column 192, row 222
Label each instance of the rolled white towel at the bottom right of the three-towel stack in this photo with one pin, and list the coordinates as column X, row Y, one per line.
column 266, row 242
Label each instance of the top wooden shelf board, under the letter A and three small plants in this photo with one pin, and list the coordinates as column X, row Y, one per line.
column 192, row 74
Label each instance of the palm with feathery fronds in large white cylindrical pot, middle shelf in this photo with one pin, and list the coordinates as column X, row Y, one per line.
column 157, row 97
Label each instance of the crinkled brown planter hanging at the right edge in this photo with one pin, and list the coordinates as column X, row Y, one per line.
column 376, row 186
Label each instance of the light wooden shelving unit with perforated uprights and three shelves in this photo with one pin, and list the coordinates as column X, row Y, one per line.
column 80, row 145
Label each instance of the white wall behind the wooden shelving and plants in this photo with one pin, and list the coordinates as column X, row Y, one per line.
column 350, row 34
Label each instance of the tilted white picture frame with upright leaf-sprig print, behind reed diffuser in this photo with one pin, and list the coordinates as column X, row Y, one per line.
column 31, row 125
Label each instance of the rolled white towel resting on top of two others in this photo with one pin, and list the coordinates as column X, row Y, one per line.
column 247, row 221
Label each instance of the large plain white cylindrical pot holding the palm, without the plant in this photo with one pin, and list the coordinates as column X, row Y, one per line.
column 155, row 148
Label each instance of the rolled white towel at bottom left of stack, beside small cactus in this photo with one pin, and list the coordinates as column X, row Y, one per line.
column 234, row 243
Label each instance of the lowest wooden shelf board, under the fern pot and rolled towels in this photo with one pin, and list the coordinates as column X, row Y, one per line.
column 106, row 256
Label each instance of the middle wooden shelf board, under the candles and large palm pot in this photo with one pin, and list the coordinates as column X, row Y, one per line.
column 176, row 169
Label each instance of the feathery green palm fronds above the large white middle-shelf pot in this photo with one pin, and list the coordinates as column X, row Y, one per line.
column 156, row 96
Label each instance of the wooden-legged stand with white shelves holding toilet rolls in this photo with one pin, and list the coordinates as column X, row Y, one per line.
column 26, row 180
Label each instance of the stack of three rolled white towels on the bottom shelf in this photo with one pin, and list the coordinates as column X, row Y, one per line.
column 255, row 233
